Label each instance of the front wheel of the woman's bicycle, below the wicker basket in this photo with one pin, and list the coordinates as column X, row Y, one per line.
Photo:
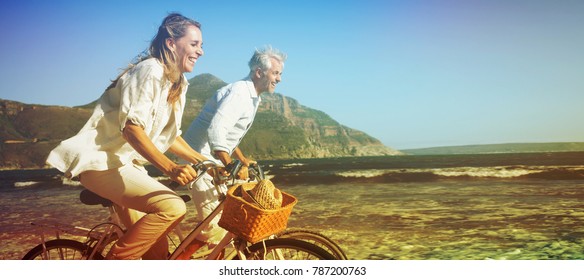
column 286, row 249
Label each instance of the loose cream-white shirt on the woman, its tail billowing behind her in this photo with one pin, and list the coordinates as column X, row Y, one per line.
column 140, row 96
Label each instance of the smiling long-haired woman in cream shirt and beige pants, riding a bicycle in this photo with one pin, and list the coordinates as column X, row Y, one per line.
column 136, row 121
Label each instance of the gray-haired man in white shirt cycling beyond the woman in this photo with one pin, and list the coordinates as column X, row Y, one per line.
column 220, row 126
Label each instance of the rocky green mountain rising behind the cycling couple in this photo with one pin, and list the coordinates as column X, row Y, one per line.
column 283, row 129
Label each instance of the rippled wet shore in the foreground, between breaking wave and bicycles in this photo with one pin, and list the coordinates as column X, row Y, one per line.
column 444, row 220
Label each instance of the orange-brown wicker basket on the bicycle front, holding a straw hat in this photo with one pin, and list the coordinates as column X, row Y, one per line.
column 248, row 220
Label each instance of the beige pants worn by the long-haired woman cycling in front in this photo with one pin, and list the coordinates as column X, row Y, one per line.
column 148, row 209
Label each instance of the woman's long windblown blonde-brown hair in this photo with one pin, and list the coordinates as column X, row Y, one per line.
column 173, row 26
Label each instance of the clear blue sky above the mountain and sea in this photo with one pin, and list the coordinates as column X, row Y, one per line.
column 411, row 73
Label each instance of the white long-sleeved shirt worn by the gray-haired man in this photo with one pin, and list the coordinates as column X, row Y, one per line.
column 224, row 120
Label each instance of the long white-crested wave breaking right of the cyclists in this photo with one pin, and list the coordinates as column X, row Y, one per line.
column 433, row 174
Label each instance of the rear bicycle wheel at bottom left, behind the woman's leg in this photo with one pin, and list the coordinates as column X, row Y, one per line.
column 60, row 249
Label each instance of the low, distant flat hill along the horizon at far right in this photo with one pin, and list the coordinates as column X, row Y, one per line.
column 500, row 148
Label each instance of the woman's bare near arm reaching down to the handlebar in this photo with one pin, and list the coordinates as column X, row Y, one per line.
column 138, row 139
